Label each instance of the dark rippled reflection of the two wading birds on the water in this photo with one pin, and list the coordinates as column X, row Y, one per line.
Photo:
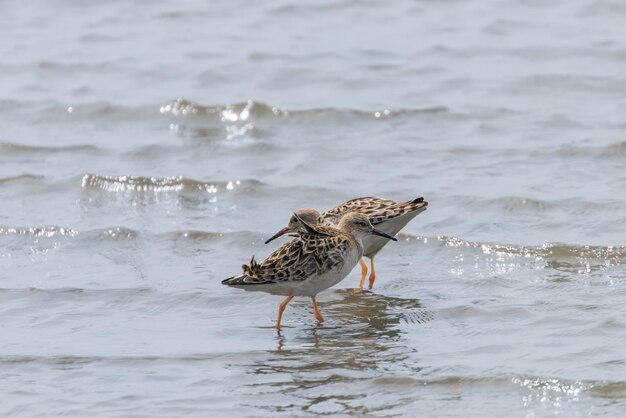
column 362, row 341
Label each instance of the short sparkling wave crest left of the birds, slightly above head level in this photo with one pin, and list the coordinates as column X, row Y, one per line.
column 115, row 184
